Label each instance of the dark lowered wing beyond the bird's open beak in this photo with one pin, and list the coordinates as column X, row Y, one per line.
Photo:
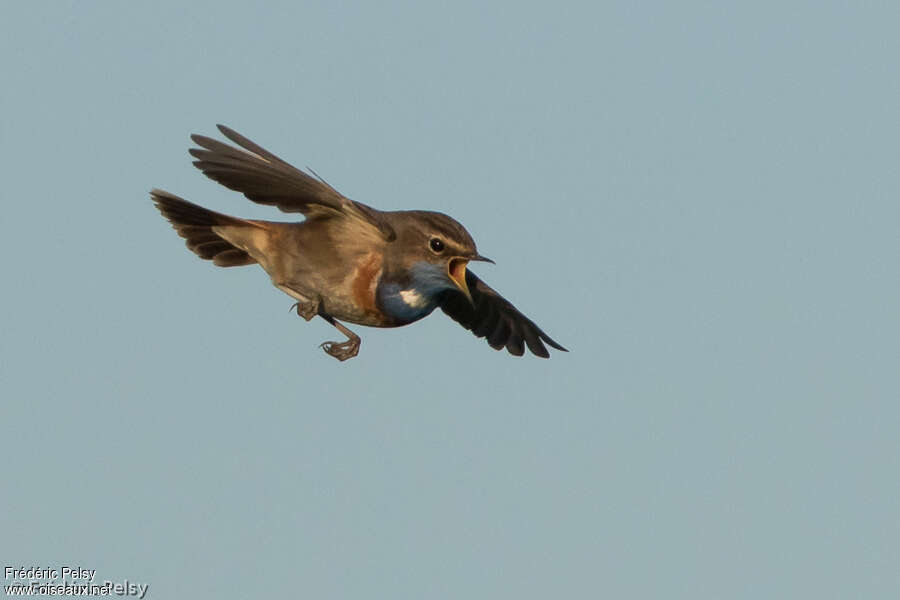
column 495, row 318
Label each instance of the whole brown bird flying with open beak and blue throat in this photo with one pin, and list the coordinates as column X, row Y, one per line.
column 345, row 261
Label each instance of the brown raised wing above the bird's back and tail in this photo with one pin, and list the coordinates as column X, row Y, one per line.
column 264, row 178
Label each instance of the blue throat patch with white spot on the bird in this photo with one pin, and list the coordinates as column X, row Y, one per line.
column 419, row 298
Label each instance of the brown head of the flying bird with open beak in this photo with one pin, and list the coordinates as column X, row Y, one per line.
column 433, row 250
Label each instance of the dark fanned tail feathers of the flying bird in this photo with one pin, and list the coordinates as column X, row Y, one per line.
column 194, row 223
